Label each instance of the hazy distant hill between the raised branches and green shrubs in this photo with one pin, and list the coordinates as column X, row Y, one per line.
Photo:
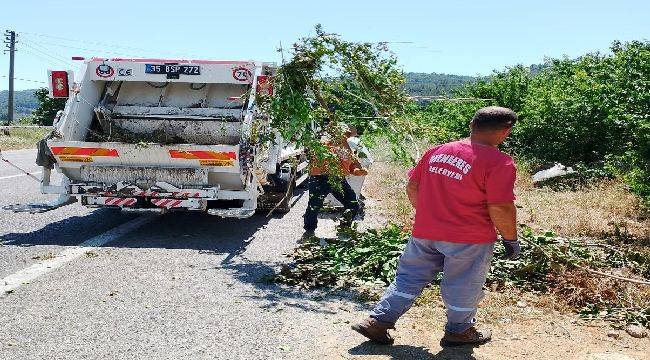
column 423, row 84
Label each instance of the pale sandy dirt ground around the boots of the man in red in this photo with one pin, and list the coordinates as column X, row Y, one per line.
column 520, row 331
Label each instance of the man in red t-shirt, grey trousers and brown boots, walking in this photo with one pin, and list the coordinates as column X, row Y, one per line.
column 461, row 192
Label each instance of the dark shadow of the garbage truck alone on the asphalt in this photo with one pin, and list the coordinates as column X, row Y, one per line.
column 174, row 230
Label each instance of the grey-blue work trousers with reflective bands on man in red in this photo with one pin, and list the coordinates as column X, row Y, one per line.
column 464, row 270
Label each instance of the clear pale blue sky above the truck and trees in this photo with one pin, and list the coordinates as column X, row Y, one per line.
column 456, row 37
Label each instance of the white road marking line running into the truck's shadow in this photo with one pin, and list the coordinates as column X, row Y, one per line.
column 15, row 280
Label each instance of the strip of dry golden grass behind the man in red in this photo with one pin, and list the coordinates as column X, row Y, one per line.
column 600, row 211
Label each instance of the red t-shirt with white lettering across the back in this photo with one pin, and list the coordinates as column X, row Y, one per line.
column 456, row 181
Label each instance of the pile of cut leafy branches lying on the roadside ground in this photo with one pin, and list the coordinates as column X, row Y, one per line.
column 548, row 264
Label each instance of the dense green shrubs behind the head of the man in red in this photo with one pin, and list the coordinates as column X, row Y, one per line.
column 594, row 111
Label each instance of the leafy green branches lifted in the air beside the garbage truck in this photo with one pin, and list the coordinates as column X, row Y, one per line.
column 328, row 82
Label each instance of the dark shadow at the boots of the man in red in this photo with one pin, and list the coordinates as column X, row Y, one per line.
column 413, row 352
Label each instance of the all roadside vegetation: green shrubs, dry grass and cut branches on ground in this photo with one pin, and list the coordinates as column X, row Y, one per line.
column 584, row 239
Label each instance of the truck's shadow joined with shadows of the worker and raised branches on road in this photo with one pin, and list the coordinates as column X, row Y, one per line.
column 207, row 234
